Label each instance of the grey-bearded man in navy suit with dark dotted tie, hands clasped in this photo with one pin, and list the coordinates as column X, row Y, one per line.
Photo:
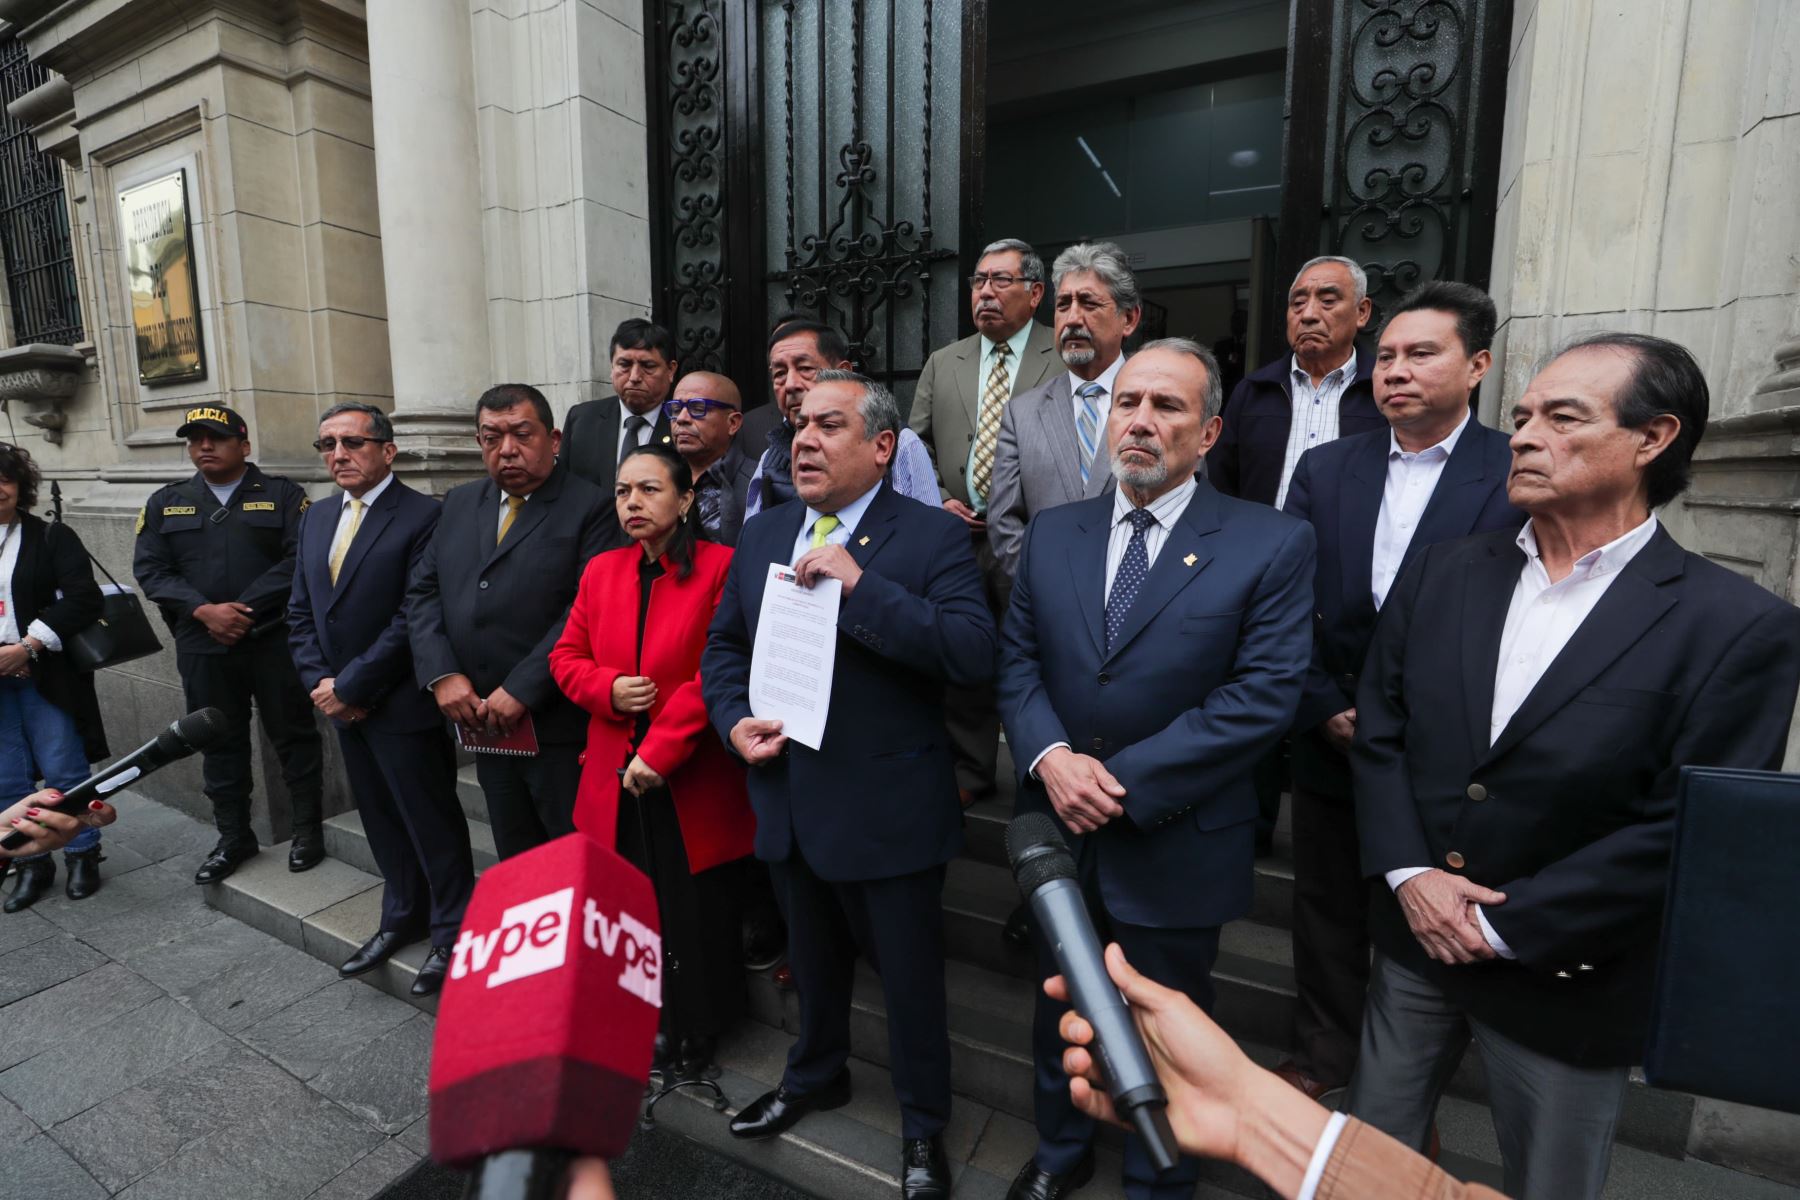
column 1155, row 650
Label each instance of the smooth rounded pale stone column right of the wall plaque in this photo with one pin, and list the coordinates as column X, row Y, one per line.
column 427, row 170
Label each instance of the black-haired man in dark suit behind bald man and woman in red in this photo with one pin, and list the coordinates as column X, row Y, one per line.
column 600, row 433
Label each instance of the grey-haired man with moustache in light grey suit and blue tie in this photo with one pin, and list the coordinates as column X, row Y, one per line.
column 1050, row 445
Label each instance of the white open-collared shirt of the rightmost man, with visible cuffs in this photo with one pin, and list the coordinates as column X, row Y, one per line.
column 1542, row 620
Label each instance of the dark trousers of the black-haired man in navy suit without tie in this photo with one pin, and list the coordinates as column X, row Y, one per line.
column 1331, row 936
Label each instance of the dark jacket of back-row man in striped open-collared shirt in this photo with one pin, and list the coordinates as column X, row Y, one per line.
column 1246, row 461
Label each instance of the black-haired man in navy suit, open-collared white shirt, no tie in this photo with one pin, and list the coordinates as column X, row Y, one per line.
column 1376, row 501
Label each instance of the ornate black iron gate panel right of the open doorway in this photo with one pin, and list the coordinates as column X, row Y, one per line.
column 1394, row 129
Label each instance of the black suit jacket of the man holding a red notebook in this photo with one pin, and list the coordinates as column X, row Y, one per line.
column 494, row 613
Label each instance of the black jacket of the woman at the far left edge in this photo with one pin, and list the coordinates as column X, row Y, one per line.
column 53, row 582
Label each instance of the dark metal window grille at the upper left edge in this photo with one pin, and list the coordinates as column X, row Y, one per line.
column 40, row 265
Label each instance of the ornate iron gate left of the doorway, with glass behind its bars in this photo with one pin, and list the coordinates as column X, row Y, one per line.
column 813, row 157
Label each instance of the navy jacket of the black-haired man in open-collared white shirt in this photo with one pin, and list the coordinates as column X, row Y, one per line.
column 1338, row 488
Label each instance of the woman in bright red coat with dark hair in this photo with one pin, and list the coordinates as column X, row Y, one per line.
column 656, row 782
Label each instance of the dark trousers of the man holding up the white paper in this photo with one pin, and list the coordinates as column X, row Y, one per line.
column 899, row 926
